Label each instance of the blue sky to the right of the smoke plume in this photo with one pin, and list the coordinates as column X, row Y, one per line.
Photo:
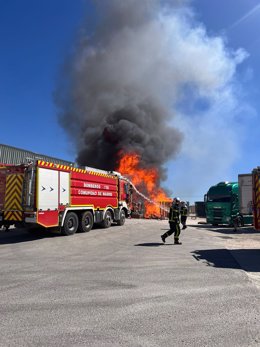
column 238, row 23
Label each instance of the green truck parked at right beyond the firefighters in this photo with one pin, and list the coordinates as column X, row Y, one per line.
column 230, row 203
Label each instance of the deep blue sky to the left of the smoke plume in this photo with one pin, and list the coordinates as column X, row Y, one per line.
column 35, row 38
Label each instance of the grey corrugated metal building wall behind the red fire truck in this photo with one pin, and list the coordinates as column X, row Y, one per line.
column 13, row 155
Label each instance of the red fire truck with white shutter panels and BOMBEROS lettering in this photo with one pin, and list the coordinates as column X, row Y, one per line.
column 72, row 199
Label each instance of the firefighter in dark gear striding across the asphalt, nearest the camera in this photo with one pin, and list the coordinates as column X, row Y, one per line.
column 174, row 221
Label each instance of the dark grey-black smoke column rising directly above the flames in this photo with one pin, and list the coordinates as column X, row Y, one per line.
column 118, row 93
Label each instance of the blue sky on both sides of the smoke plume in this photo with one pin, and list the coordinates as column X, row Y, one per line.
column 36, row 37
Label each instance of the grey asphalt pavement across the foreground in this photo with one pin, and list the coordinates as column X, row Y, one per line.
column 123, row 287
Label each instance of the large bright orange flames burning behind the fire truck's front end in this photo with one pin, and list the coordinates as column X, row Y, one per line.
column 146, row 181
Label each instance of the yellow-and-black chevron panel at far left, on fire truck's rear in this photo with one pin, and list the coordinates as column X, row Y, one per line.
column 13, row 197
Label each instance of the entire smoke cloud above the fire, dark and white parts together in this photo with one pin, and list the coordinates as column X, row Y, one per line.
column 145, row 80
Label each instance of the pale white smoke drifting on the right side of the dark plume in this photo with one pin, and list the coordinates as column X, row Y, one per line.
column 209, row 108
